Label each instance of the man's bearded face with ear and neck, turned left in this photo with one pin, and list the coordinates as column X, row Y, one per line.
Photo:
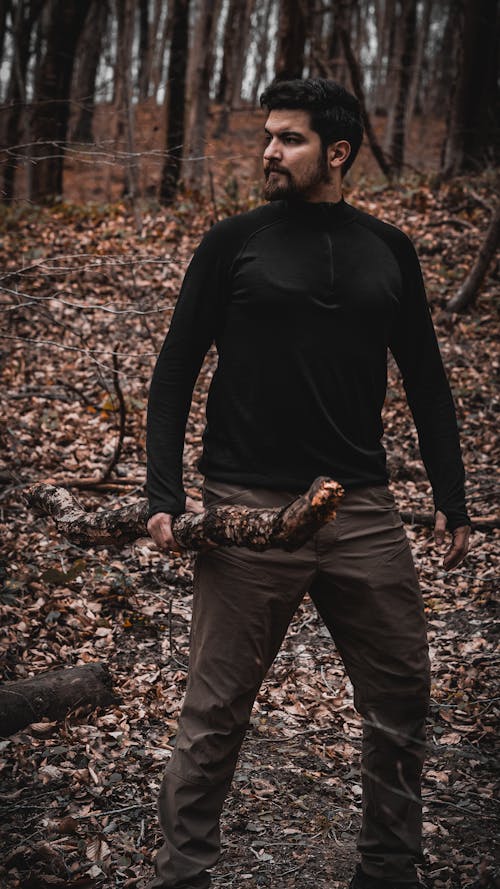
column 294, row 161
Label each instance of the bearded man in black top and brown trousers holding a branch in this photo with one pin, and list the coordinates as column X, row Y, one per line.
column 303, row 297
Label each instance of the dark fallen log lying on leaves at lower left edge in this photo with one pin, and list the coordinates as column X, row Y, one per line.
column 53, row 694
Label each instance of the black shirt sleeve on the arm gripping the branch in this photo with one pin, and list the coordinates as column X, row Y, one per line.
column 191, row 332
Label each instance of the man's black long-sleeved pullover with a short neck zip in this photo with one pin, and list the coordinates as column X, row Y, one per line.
column 302, row 301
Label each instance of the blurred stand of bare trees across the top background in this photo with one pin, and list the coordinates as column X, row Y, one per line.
column 63, row 59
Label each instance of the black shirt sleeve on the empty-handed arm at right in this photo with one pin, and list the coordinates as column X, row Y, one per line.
column 415, row 348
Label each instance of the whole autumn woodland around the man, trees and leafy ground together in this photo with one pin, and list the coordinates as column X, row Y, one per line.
column 127, row 129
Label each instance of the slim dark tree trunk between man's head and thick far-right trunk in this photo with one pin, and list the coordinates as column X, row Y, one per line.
column 398, row 135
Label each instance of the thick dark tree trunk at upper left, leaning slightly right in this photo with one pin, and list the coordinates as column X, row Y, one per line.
column 51, row 97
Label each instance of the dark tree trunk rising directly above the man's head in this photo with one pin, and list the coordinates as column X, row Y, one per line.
column 293, row 28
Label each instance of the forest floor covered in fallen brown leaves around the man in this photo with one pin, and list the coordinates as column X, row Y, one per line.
column 87, row 300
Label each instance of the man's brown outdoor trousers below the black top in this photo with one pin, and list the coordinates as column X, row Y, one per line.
column 360, row 575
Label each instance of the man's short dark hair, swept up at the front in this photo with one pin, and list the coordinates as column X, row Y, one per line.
column 335, row 113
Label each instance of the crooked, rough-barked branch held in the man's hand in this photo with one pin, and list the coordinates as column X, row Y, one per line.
column 287, row 527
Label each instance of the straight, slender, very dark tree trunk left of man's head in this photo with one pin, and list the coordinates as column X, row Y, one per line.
column 175, row 102
